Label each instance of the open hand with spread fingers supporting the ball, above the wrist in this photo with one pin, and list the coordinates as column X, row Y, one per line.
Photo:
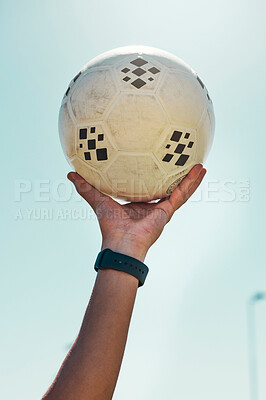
column 143, row 221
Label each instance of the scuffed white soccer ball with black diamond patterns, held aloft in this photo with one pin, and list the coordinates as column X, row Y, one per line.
column 134, row 121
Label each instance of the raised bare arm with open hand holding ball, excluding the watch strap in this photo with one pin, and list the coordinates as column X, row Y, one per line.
column 91, row 368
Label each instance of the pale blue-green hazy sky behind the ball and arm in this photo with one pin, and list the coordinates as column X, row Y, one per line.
column 188, row 336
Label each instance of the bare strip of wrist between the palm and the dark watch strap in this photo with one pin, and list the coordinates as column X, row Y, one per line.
column 126, row 246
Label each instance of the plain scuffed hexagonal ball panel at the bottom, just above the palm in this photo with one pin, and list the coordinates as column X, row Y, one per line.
column 135, row 177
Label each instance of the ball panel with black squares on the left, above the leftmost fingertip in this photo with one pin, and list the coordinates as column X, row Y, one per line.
column 93, row 145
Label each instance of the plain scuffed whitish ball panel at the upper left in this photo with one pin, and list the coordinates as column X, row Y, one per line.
column 92, row 95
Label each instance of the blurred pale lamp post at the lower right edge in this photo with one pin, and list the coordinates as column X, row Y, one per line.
column 252, row 345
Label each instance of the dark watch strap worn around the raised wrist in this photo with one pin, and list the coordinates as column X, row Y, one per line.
column 108, row 259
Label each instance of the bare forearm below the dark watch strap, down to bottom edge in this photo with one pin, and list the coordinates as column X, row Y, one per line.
column 91, row 369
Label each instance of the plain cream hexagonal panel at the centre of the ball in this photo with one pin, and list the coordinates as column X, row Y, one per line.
column 136, row 122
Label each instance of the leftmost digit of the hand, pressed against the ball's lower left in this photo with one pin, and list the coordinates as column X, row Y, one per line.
column 88, row 192
